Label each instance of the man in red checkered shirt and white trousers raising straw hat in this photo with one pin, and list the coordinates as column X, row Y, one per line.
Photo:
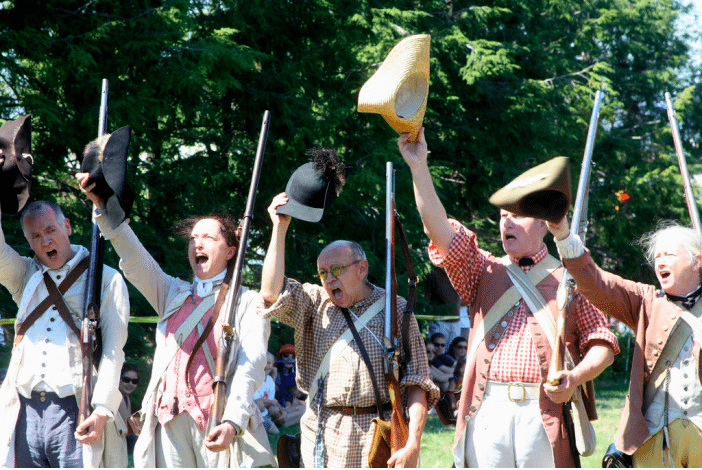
column 508, row 415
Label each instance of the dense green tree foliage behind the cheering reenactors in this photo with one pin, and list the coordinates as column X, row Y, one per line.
column 512, row 85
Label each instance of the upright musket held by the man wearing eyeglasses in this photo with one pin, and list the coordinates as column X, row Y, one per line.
column 399, row 428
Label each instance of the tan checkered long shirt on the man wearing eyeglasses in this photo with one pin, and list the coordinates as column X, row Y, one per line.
column 318, row 323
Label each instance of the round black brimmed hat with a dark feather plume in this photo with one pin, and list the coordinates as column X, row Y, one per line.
column 314, row 186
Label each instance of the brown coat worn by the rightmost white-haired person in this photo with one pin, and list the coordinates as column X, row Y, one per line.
column 651, row 315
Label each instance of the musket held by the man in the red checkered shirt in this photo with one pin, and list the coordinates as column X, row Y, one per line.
column 578, row 225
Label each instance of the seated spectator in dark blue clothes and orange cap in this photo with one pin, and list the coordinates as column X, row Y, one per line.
column 287, row 393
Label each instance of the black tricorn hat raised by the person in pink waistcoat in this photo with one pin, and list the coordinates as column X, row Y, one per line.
column 106, row 161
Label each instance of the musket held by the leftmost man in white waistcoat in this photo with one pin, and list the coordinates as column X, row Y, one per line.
column 93, row 288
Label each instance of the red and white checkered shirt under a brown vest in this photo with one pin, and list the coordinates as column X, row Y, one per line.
column 514, row 359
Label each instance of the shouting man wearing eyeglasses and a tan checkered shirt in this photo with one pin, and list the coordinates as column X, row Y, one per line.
column 337, row 425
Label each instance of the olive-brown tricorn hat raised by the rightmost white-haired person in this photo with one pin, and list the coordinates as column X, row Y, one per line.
column 542, row 192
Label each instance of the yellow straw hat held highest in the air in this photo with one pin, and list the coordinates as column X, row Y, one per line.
column 399, row 89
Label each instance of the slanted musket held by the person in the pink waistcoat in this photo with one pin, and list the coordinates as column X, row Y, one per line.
column 219, row 384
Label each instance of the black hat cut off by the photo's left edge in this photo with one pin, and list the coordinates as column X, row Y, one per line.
column 16, row 174
